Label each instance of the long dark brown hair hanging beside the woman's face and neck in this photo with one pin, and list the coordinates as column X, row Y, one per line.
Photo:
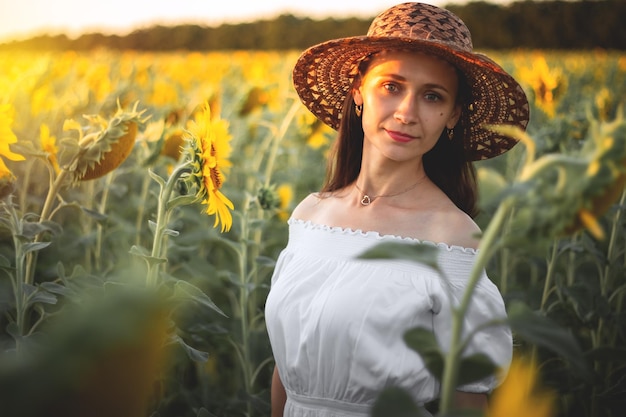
column 446, row 164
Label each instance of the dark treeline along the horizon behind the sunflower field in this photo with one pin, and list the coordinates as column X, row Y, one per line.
column 523, row 24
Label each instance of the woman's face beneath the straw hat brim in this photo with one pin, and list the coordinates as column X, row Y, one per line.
column 408, row 100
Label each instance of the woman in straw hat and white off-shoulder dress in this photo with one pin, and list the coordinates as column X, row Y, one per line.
column 410, row 102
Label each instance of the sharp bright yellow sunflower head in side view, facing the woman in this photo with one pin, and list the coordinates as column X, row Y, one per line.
column 208, row 147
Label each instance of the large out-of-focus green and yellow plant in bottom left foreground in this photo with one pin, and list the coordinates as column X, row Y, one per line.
column 100, row 357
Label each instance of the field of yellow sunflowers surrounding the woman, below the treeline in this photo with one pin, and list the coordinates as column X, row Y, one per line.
column 144, row 200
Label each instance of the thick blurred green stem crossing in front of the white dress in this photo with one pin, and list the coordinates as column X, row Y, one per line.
column 453, row 356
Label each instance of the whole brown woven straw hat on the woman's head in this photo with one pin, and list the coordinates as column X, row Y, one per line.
column 324, row 73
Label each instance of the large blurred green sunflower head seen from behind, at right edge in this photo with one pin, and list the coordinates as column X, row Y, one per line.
column 560, row 194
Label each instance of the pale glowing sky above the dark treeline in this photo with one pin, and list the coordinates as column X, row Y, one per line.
column 21, row 19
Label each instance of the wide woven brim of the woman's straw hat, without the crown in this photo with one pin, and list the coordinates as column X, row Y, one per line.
column 324, row 74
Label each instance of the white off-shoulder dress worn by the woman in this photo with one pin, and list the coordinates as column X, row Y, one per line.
column 336, row 323
